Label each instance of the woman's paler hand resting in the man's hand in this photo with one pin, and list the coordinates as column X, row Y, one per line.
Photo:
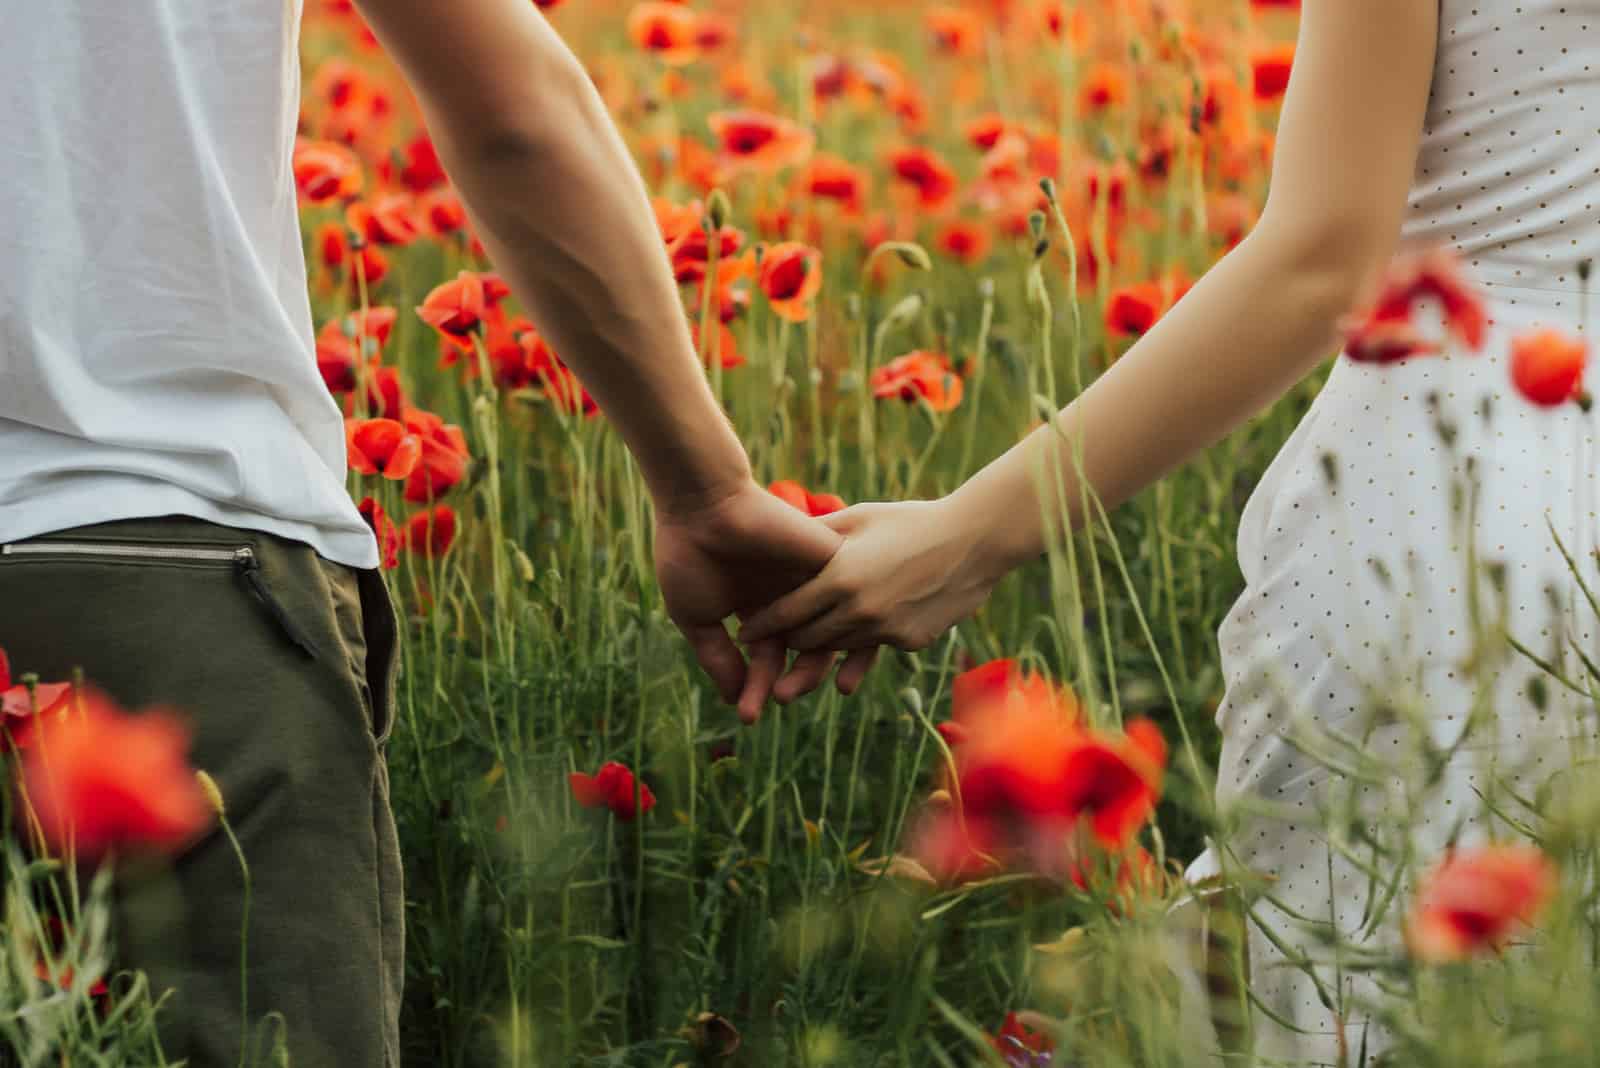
column 905, row 575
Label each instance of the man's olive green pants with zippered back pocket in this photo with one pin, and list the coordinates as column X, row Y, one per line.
column 284, row 663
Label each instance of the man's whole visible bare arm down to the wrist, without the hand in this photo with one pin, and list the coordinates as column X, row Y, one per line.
column 567, row 221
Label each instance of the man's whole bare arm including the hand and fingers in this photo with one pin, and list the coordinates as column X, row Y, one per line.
column 564, row 215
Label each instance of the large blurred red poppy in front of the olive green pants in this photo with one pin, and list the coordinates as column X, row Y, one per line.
column 103, row 779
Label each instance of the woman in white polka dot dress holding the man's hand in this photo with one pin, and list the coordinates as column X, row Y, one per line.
column 1450, row 122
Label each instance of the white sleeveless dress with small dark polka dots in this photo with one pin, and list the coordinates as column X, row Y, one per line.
column 1356, row 572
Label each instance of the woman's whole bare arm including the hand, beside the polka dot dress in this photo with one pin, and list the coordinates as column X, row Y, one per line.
column 1252, row 329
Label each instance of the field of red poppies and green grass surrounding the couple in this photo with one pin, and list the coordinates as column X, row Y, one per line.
column 903, row 233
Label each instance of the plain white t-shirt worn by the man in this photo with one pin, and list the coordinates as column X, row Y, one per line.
column 156, row 337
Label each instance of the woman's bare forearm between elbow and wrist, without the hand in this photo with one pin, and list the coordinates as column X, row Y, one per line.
column 1246, row 335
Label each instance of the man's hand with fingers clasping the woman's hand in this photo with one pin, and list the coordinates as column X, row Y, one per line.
column 734, row 557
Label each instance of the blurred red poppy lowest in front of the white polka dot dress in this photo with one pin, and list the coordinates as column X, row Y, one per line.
column 1476, row 899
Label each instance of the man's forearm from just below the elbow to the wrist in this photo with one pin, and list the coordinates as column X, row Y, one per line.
column 570, row 228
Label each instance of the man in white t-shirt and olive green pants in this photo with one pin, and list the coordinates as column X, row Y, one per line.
column 172, row 500
